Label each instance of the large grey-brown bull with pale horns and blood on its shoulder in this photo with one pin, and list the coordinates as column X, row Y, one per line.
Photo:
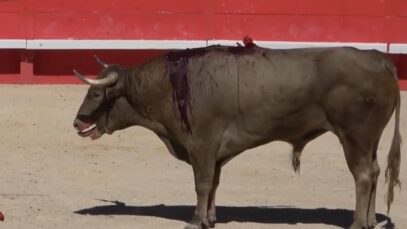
column 210, row 104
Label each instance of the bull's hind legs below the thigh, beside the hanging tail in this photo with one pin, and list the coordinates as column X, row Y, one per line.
column 361, row 159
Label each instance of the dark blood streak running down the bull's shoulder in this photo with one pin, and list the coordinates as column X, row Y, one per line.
column 177, row 67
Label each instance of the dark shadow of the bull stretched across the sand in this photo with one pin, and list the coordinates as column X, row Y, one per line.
column 268, row 215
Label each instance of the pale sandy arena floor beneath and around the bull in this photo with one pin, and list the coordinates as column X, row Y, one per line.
column 51, row 178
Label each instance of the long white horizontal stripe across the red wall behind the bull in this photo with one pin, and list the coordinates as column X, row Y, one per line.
column 53, row 44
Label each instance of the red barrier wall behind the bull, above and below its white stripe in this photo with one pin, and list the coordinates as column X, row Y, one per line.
column 286, row 20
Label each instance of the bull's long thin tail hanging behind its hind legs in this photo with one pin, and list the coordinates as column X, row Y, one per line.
column 394, row 156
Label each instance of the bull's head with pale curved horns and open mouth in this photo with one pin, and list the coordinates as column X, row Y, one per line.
column 105, row 107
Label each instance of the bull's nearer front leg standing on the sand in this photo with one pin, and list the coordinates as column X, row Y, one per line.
column 204, row 169
